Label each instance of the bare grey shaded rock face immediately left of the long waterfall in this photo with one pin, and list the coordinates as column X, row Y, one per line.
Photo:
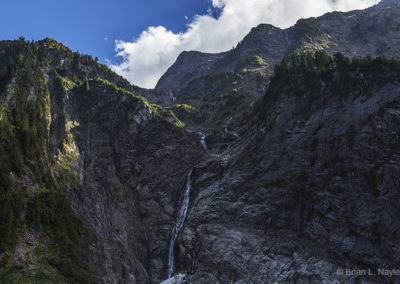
column 133, row 164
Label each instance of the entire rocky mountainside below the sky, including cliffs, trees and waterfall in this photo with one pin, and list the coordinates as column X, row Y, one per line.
column 275, row 162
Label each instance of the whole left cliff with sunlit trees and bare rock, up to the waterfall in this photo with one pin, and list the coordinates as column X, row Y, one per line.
column 112, row 161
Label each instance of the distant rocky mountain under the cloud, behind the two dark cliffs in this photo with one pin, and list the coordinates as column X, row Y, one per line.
column 201, row 79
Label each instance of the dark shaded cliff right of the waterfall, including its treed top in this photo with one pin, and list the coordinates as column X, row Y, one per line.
column 312, row 189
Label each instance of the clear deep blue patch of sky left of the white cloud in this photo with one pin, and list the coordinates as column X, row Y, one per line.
column 83, row 25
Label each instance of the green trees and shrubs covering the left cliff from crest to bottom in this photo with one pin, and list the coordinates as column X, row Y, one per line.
column 26, row 159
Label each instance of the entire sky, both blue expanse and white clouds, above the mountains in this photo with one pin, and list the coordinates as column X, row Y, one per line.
column 140, row 39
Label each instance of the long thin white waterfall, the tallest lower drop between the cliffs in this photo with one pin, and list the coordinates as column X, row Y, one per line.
column 180, row 219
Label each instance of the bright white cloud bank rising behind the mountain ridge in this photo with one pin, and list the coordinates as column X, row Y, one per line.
column 148, row 57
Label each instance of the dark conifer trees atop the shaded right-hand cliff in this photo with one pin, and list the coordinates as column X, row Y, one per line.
column 304, row 75
